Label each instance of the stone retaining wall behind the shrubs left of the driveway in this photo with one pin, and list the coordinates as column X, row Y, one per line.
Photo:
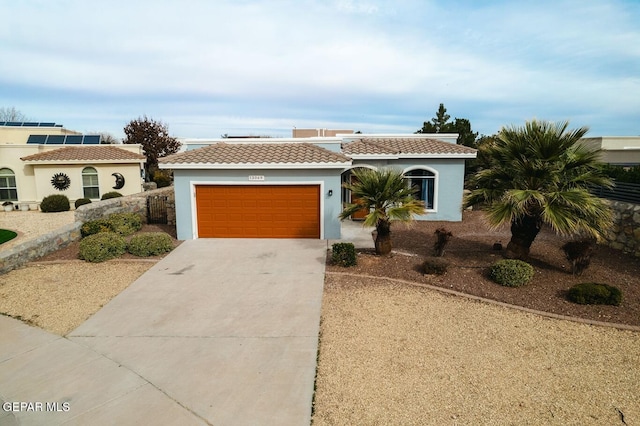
column 62, row 237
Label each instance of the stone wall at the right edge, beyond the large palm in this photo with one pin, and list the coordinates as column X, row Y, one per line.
column 625, row 233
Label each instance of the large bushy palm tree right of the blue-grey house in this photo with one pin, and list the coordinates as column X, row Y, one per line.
column 538, row 174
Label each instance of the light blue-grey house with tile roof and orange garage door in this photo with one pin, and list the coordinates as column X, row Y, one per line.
column 292, row 188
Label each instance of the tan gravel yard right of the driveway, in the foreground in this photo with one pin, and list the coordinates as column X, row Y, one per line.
column 396, row 354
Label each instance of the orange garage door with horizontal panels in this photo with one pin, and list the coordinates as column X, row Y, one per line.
column 258, row 211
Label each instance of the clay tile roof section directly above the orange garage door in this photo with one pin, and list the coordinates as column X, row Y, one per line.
column 257, row 153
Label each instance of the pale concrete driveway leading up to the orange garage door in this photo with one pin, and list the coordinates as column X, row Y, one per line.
column 221, row 331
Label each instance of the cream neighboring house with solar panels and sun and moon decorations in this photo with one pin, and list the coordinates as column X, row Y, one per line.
column 40, row 159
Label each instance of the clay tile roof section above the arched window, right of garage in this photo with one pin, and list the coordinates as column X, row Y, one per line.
column 397, row 146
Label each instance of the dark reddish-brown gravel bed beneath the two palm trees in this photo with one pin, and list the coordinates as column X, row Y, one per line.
column 470, row 253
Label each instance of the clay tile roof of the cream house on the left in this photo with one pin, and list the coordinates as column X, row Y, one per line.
column 86, row 153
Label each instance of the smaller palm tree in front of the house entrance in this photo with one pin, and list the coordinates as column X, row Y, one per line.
column 387, row 196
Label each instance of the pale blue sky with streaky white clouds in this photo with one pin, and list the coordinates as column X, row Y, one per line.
column 207, row 68
